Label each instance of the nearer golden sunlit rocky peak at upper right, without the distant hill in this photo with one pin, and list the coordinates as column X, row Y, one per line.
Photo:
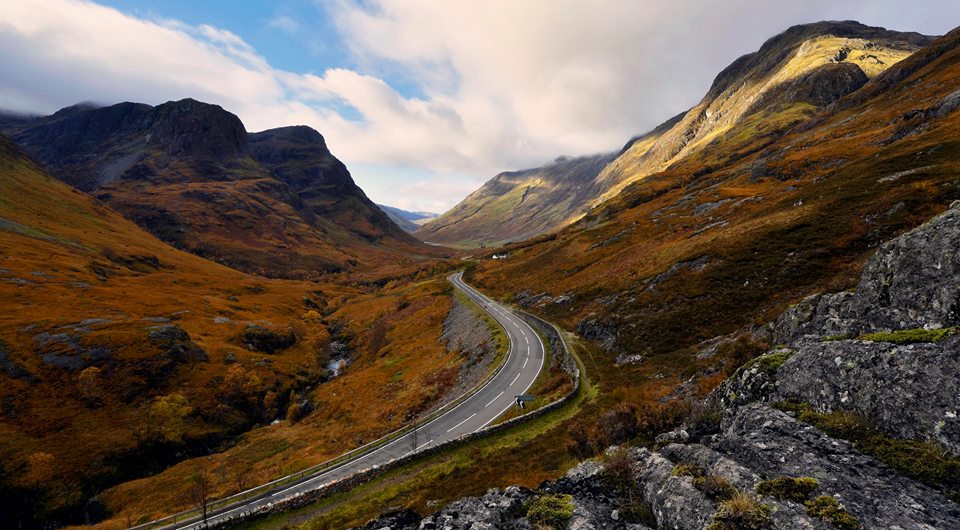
column 811, row 64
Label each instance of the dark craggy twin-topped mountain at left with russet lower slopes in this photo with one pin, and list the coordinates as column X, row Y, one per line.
column 275, row 203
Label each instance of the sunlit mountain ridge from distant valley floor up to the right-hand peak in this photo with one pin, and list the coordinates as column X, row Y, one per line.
column 792, row 75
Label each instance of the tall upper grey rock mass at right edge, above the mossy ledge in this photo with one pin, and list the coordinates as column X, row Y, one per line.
column 910, row 390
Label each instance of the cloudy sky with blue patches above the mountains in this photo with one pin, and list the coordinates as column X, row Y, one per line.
column 424, row 100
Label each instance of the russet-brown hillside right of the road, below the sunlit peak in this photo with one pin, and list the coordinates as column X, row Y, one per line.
column 769, row 212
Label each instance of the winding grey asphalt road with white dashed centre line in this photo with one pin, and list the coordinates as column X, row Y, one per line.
column 519, row 371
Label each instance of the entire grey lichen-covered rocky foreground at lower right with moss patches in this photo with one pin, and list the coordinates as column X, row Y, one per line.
column 849, row 431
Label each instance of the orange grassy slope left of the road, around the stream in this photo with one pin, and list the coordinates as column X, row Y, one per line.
column 68, row 258
